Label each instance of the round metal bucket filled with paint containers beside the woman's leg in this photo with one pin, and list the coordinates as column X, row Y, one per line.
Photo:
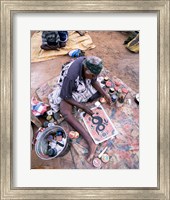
column 43, row 148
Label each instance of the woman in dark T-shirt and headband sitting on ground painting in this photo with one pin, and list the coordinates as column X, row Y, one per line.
column 77, row 84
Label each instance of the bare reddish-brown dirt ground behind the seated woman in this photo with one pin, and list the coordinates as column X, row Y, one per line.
column 116, row 58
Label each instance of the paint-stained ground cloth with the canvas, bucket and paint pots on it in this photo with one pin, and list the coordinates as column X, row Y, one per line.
column 114, row 128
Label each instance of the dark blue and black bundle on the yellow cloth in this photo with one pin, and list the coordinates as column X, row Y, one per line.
column 53, row 40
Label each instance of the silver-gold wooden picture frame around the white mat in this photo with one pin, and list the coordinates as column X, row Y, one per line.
column 8, row 10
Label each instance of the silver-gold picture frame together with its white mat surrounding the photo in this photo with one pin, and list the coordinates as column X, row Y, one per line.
column 148, row 181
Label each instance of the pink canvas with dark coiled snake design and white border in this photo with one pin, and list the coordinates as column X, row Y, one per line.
column 99, row 125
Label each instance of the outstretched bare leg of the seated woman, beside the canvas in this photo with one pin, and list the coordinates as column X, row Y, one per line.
column 66, row 111
